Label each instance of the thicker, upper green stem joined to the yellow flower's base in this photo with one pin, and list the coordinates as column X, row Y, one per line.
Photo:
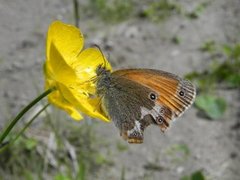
column 21, row 113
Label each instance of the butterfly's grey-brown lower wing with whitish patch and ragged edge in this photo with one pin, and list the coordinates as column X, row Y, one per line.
column 122, row 101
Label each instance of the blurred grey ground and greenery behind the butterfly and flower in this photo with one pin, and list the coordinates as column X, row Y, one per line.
column 197, row 39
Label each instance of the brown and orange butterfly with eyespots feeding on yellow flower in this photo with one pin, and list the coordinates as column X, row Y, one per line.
column 136, row 98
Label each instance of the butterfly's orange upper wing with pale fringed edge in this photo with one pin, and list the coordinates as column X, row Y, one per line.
column 174, row 94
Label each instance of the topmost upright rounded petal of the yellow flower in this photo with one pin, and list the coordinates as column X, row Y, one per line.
column 67, row 38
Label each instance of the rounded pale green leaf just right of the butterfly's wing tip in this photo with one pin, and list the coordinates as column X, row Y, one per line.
column 213, row 107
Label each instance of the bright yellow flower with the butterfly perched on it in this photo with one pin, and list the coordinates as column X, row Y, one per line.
column 70, row 70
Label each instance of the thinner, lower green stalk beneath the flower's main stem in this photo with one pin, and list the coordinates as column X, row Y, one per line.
column 23, row 129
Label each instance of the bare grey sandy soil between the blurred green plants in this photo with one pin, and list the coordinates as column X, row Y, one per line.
column 214, row 145
